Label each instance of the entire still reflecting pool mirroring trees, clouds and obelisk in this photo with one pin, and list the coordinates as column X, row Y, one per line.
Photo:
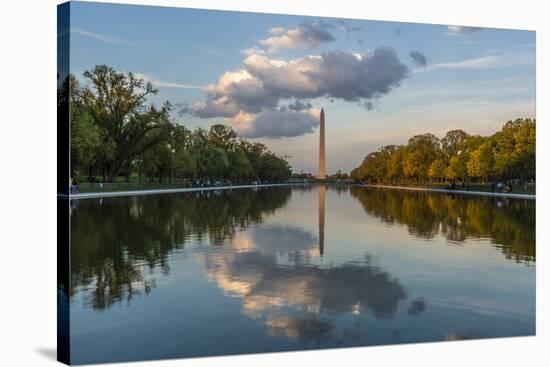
column 275, row 269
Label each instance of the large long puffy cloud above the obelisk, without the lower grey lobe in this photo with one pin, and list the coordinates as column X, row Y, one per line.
column 263, row 81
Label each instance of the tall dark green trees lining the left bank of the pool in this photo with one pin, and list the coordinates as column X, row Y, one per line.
column 116, row 132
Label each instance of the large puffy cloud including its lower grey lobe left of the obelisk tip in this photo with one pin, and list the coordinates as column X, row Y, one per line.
column 270, row 97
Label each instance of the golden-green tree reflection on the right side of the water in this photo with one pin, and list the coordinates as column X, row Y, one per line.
column 508, row 223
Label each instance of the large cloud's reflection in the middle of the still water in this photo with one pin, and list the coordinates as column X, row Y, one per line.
column 275, row 272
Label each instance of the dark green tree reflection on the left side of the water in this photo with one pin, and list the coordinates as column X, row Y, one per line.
column 116, row 242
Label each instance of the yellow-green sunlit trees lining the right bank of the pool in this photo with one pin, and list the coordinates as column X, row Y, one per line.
column 507, row 154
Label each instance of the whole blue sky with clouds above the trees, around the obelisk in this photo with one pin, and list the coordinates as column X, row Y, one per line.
column 280, row 70
